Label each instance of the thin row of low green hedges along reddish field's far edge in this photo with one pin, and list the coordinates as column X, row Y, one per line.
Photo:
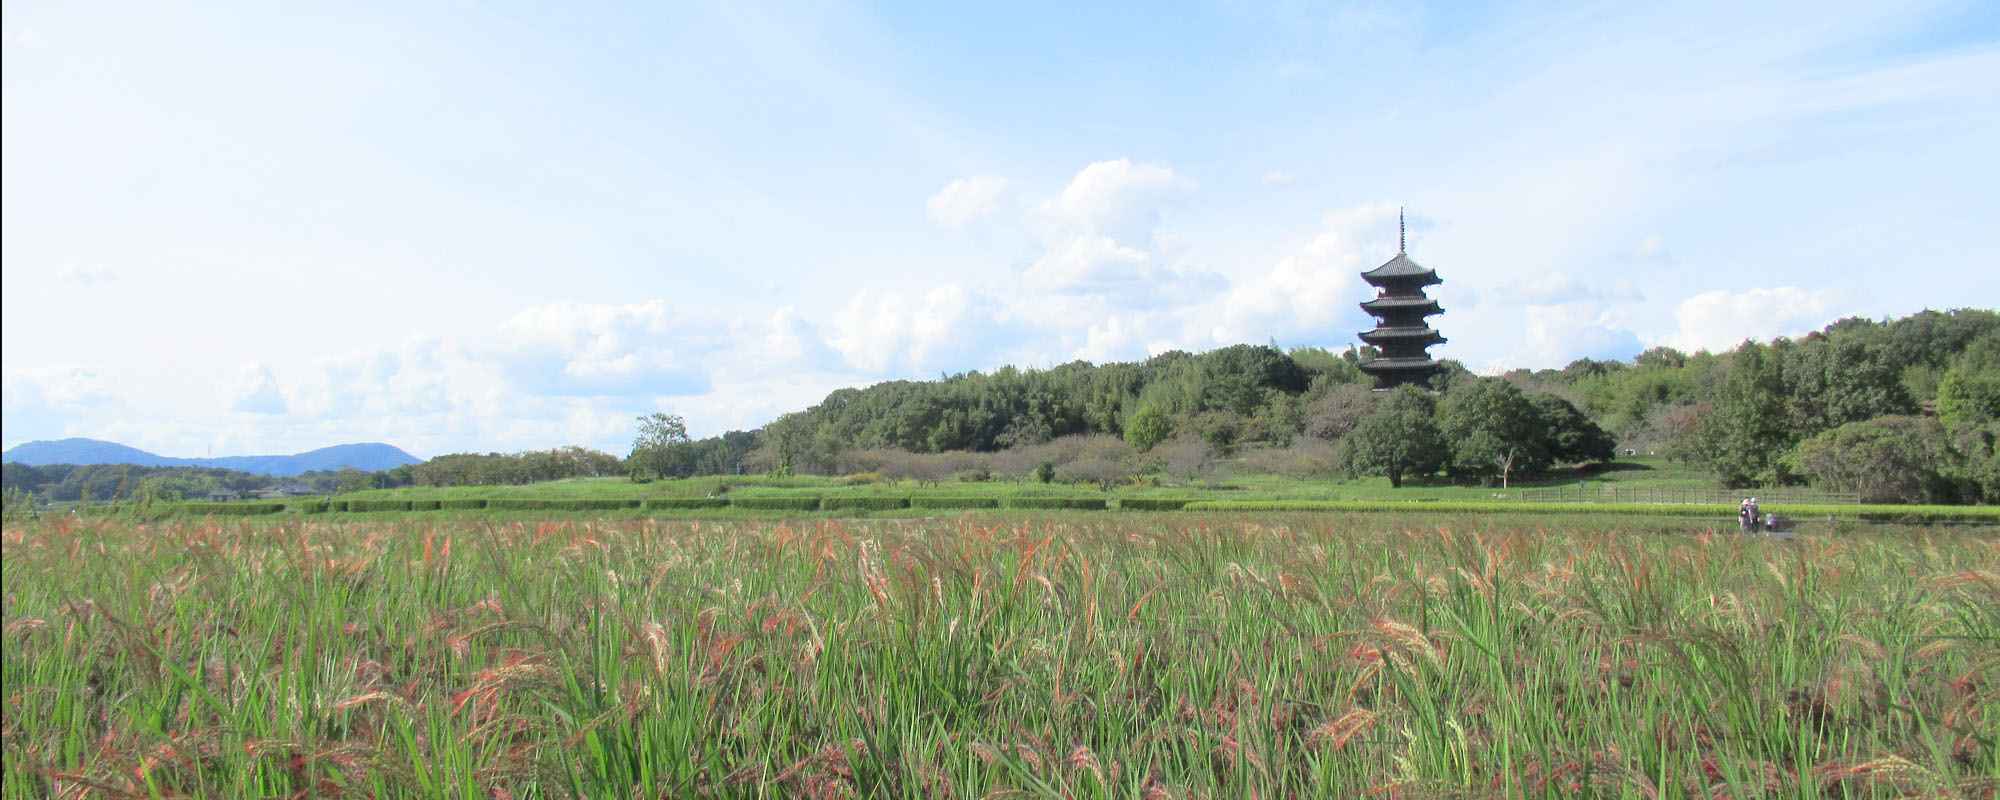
column 1139, row 505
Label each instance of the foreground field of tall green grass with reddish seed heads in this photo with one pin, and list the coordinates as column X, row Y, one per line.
column 1087, row 655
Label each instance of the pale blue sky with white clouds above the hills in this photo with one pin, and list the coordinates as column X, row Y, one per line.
column 501, row 227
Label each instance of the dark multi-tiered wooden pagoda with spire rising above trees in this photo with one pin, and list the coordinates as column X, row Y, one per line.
column 1401, row 309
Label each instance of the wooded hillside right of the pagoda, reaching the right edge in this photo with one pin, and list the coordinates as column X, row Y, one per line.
column 1893, row 411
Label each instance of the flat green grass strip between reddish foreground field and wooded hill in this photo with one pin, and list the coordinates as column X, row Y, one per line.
column 1625, row 489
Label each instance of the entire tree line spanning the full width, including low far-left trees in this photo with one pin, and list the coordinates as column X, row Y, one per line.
column 1895, row 411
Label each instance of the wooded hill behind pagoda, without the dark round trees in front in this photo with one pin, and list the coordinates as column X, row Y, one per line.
column 1929, row 383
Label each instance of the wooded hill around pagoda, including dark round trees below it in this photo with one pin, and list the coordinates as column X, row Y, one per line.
column 1889, row 409
